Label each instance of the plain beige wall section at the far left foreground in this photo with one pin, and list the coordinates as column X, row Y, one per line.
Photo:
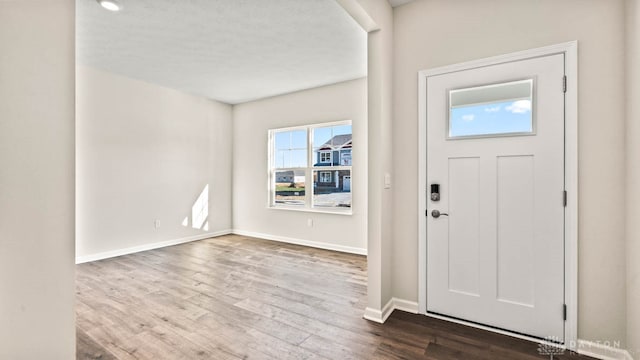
column 36, row 180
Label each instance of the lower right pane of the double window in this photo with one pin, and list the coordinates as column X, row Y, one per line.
column 332, row 189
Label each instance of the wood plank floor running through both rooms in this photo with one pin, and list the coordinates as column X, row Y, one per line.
column 234, row 297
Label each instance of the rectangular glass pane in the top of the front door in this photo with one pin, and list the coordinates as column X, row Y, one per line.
column 499, row 109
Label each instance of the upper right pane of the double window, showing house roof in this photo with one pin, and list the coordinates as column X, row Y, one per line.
column 332, row 146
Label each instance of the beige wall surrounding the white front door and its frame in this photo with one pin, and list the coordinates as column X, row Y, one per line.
column 432, row 33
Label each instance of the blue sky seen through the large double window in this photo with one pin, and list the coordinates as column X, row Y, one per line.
column 291, row 146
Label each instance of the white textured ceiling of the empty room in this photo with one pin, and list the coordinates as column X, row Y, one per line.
column 229, row 50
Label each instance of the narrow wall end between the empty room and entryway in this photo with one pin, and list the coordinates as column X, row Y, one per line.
column 380, row 108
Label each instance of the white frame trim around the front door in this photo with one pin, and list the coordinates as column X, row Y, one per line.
column 570, row 51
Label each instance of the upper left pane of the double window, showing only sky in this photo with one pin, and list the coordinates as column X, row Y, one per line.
column 290, row 149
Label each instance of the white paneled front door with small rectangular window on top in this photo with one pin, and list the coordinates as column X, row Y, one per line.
column 495, row 149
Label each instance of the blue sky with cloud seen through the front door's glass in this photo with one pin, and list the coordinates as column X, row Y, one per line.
column 494, row 118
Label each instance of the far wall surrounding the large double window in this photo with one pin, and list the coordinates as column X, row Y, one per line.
column 342, row 101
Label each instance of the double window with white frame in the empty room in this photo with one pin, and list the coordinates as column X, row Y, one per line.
column 302, row 172
